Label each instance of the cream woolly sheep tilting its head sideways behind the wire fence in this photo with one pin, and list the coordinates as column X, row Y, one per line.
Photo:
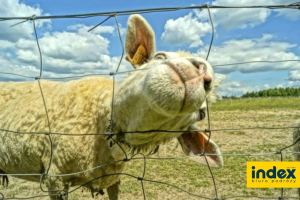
column 167, row 92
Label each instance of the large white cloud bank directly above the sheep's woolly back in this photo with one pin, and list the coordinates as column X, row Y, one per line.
column 64, row 53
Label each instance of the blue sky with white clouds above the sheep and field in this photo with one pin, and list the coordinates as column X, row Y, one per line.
column 241, row 35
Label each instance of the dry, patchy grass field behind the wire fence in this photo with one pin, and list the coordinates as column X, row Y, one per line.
column 186, row 175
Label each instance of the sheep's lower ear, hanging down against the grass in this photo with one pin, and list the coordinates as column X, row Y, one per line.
column 194, row 144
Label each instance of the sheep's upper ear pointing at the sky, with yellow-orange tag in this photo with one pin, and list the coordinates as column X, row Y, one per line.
column 140, row 41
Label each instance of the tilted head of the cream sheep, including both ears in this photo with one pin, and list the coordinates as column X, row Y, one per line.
column 167, row 91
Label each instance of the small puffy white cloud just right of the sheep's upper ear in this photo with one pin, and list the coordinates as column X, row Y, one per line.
column 184, row 30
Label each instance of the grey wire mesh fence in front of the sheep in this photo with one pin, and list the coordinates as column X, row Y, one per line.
column 111, row 134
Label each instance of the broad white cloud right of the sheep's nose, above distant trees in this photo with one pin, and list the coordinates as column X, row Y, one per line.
column 263, row 48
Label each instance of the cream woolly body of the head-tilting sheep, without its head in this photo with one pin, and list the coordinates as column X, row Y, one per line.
column 81, row 106
